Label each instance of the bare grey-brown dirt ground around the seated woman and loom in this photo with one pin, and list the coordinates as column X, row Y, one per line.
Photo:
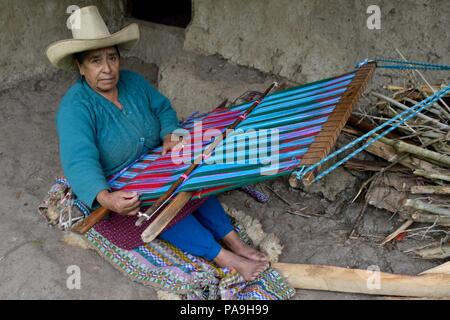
column 34, row 260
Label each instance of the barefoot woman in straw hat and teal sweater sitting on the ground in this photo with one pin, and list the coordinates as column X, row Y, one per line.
column 108, row 118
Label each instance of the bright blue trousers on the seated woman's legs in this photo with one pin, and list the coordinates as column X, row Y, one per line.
column 199, row 232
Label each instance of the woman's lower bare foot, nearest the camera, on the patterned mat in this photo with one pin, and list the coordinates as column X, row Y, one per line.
column 249, row 269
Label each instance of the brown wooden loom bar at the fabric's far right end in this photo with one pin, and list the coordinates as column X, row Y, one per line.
column 335, row 123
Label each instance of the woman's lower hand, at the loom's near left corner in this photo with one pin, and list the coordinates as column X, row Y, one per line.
column 121, row 202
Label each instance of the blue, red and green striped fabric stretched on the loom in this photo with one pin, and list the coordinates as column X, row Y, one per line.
column 298, row 114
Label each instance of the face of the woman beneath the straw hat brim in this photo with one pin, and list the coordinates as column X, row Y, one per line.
column 100, row 68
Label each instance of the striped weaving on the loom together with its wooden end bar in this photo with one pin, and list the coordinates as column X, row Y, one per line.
column 308, row 120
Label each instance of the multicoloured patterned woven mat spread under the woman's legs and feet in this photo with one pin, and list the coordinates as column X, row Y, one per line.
column 163, row 266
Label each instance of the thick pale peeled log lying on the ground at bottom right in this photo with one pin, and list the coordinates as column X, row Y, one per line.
column 328, row 278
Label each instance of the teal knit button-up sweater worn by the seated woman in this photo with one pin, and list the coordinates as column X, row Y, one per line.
column 97, row 139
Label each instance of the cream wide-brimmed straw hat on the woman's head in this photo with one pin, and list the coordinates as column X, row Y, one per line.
column 89, row 32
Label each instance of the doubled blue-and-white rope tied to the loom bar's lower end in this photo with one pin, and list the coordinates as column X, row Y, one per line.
column 403, row 117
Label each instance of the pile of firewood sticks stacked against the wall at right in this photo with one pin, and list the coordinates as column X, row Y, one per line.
column 412, row 167
